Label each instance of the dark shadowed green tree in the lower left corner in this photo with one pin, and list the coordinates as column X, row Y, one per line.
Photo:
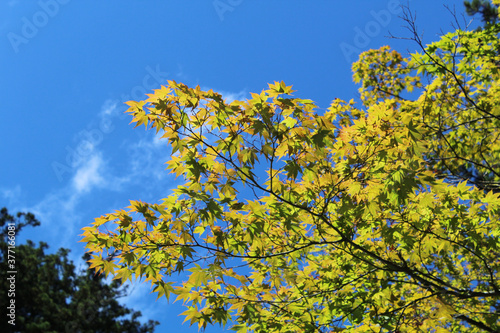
column 51, row 296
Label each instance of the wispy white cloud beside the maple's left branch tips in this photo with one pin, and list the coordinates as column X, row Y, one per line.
column 95, row 170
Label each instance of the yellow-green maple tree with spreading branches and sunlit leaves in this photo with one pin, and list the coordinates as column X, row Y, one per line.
column 381, row 215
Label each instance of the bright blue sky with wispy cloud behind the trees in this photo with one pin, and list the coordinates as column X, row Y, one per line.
column 68, row 153
